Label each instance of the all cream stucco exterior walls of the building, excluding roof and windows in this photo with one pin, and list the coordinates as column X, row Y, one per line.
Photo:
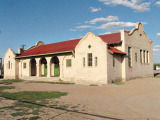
column 80, row 72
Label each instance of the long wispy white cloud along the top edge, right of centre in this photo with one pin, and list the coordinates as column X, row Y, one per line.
column 137, row 5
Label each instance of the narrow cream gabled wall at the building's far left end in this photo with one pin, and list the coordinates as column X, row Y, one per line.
column 9, row 73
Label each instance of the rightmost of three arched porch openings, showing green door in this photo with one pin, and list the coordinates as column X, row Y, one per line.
column 55, row 66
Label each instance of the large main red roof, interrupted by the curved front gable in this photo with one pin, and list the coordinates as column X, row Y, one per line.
column 67, row 45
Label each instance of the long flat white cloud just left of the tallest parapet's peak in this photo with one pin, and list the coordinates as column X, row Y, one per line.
column 111, row 25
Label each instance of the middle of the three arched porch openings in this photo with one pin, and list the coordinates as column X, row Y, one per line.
column 43, row 67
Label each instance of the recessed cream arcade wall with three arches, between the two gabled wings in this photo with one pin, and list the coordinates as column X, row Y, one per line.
column 66, row 73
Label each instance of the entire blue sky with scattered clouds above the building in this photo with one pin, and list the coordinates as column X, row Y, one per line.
column 50, row 21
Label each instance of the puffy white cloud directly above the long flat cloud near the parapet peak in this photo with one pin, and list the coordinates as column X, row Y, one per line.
column 107, row 19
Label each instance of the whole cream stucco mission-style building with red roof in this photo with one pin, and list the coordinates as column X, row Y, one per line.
column 90, row 60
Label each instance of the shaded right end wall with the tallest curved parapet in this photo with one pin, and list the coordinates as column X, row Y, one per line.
column 137, row 40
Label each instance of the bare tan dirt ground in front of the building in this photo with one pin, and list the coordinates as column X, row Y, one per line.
column 137, row 99
